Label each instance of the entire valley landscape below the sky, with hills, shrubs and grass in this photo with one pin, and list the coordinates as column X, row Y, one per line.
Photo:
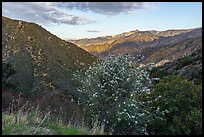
column 106, row 85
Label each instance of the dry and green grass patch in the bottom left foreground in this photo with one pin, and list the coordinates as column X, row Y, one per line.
column 32, row 121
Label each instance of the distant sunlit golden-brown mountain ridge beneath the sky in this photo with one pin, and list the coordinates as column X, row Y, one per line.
column 146, row 45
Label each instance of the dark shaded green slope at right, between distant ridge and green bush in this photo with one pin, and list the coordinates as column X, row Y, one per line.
column 189, row 66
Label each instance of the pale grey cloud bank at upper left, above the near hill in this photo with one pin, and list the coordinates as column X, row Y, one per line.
column 42, row 13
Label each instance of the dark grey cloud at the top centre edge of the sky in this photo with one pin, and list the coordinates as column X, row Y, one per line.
column 107, row 8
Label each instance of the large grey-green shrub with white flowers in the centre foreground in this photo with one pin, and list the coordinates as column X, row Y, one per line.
column 114, row 86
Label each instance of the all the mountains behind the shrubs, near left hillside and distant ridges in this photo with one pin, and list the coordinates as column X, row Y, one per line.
column 45, row 64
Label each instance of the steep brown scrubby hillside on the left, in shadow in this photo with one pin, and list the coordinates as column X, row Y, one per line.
column 43, row 63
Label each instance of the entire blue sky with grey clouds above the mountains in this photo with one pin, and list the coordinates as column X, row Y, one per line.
column 76, row 20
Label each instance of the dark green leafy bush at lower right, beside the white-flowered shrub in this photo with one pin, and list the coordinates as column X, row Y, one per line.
column 176, row 107
